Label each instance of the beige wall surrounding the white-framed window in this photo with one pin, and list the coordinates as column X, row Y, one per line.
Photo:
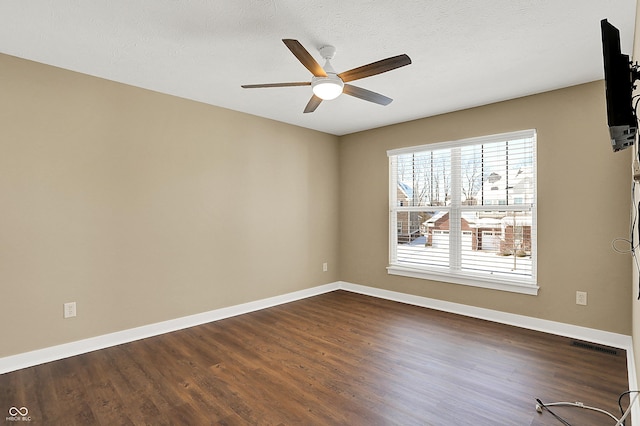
column 583, row 205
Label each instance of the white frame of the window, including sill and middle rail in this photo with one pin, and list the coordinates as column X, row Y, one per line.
column 523, row 285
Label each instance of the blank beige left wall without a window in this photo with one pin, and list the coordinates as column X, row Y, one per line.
column 143, row 207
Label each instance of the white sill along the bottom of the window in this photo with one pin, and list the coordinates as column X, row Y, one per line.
column 494, row 283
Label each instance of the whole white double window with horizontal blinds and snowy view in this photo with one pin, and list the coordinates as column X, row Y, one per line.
column 465, row 212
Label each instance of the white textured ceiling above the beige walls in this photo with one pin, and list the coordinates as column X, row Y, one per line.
column 465, row 53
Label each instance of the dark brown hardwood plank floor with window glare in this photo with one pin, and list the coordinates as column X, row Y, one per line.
column 336, row 359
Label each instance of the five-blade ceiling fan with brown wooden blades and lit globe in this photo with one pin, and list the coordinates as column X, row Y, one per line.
column 326, row 84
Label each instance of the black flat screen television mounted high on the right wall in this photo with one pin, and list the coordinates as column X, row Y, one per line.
column 619, row 77
